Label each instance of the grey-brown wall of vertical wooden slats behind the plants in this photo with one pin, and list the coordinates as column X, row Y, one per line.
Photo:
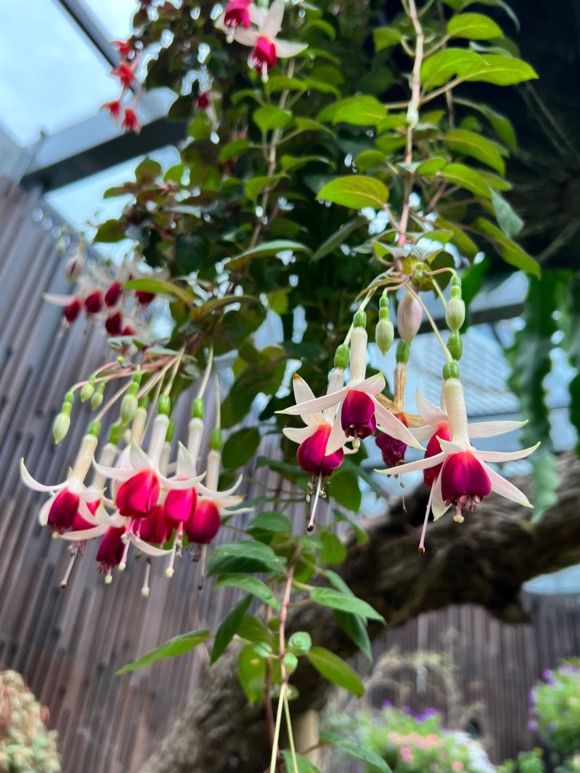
column 68, row 644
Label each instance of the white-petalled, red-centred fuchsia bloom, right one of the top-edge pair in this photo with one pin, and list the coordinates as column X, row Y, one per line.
column 266, row 48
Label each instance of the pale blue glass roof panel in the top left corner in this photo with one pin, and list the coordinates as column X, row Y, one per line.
column 51, row 76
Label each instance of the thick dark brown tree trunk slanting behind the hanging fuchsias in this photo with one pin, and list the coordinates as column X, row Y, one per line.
column 483, row 561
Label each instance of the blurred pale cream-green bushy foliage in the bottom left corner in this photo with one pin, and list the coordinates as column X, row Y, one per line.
column 25, row 743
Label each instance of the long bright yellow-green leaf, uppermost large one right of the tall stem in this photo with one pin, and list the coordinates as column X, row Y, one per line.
column 465, row 65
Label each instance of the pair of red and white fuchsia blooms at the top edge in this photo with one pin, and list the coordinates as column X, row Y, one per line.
column 251, row 26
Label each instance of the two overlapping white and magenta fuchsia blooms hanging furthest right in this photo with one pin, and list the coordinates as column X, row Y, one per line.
column 462, row 476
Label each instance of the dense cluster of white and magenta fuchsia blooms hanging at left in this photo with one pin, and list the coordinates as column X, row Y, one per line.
column 132, row 501
